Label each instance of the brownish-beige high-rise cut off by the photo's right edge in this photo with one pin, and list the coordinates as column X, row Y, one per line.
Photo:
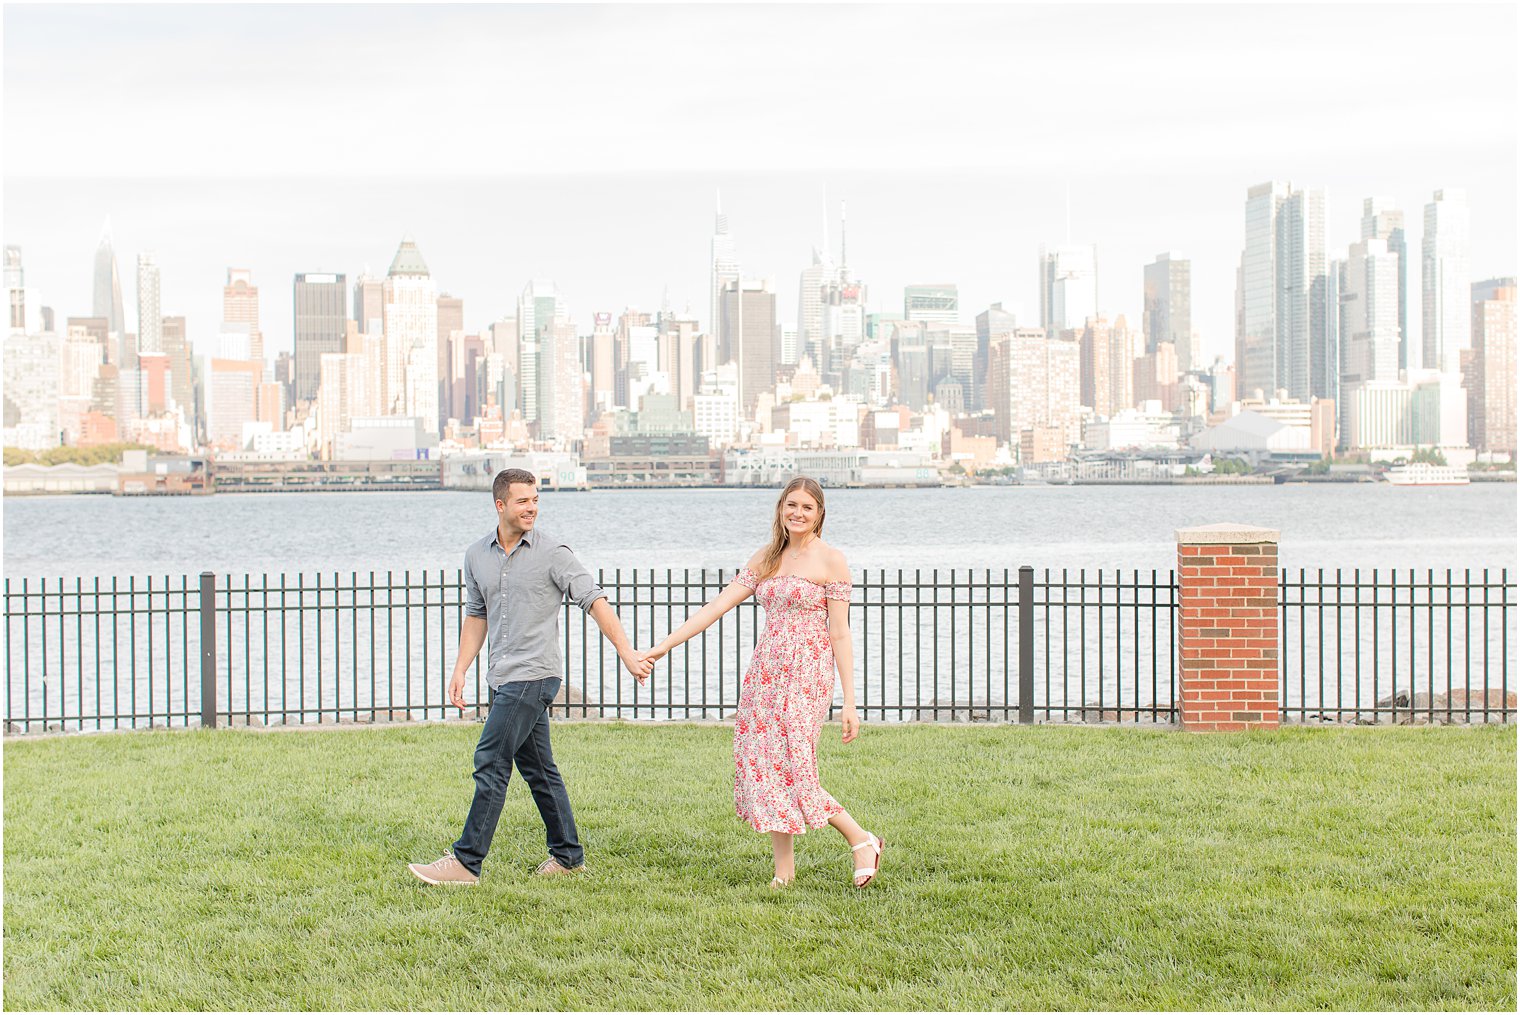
column 1490, row 378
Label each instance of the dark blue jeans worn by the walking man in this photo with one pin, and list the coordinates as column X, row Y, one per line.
column 518, row 733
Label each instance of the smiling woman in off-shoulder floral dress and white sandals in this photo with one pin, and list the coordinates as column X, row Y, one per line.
column 805, row 587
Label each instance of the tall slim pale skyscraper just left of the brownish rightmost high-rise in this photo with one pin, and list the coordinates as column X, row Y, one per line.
column 1445, row 283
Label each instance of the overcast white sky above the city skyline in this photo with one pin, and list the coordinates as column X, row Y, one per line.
column 584, row 144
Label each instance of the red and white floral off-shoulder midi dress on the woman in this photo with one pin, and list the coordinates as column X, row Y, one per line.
column 785, row 700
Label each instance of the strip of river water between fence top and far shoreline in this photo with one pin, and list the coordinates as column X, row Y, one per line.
column 1347, row 526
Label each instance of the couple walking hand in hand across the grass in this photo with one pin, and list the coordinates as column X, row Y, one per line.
column 516, row 583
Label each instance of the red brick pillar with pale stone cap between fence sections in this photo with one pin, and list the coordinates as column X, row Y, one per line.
column 1227, row 636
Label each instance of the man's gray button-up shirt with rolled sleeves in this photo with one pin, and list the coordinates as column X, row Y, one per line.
column 521, row 592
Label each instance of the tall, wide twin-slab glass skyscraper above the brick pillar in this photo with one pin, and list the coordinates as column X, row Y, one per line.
column 1285, row 326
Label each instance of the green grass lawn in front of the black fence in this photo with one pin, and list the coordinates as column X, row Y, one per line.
column 1047, row 868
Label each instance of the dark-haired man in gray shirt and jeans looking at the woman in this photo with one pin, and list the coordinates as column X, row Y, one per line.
column 516, row 581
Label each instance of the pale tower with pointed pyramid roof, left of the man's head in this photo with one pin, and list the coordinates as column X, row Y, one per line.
column 411, row 338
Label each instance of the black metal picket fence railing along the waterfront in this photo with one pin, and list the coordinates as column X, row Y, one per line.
column 931, row 645
